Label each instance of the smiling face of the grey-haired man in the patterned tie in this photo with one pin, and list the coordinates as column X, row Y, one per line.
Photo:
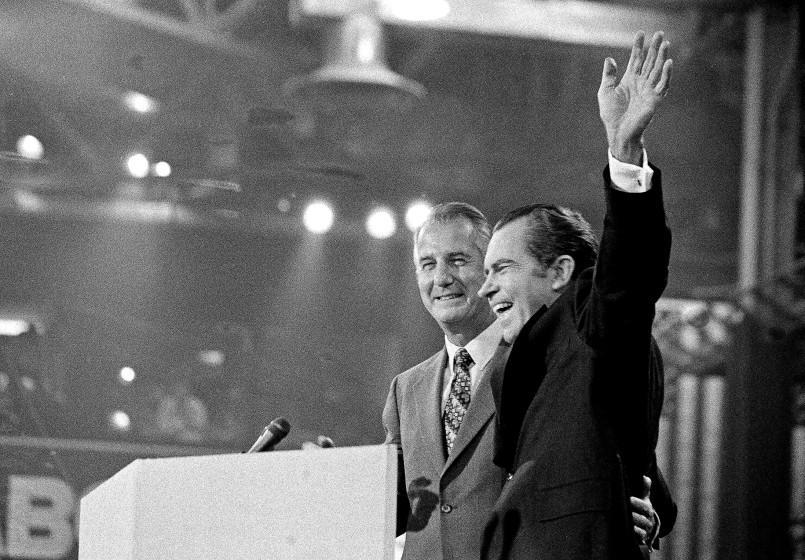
column 449, row 268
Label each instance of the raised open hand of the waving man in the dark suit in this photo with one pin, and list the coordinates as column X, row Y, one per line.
column 627, row 105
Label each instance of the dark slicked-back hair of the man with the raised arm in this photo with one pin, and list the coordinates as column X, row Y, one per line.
column 554, row 231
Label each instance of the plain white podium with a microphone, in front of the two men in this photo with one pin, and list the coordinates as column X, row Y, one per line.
column 285, row 505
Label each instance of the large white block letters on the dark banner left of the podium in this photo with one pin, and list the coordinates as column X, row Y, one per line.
column 38, row 517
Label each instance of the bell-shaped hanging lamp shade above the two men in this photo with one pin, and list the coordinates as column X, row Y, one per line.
column 355, row 69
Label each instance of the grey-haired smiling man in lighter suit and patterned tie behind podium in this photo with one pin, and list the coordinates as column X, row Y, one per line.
column 448, row 480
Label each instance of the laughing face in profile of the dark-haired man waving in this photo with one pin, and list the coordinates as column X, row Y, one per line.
column 517, row 285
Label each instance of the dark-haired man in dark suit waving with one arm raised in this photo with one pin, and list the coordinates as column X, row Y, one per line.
column 578, row 404
